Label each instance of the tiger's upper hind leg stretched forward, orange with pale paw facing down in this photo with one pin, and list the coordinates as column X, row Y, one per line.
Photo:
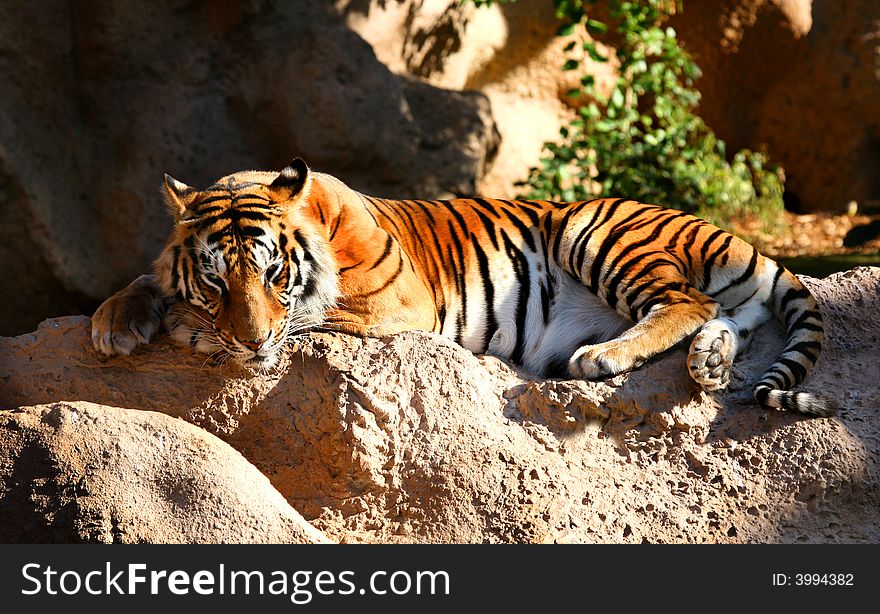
column 677, row 311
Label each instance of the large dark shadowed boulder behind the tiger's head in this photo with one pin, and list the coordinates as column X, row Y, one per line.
column 99, row 102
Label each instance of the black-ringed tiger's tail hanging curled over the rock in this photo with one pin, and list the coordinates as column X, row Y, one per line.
column 797, row 310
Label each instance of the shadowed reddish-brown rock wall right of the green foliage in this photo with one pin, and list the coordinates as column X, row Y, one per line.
column 800, row 78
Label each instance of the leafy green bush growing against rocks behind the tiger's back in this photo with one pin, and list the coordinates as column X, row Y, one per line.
column 643, row 140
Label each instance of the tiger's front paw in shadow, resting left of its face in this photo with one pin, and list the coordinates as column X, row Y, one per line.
column 129, row 318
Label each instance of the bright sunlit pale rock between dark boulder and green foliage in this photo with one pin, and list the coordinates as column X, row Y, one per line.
column 507, row 51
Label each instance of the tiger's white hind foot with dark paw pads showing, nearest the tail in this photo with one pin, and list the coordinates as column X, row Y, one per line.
column 719, row 341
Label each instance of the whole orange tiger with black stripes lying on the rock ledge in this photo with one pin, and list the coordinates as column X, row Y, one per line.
column 589, row 289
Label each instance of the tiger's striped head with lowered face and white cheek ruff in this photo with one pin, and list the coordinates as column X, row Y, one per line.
column 249, row 267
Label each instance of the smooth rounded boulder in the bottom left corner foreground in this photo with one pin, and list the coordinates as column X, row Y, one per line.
column 80, row 472
